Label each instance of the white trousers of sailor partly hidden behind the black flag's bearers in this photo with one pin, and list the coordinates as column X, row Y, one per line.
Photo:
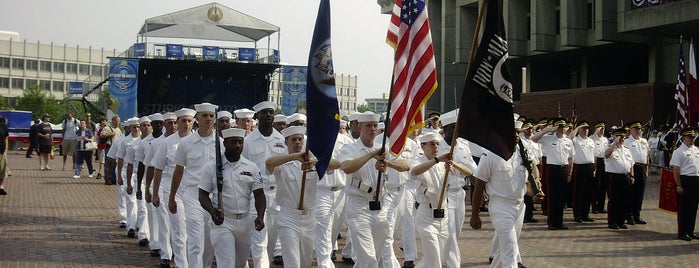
column 457, row 212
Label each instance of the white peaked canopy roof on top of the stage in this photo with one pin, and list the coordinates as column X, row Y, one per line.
column 212, row 21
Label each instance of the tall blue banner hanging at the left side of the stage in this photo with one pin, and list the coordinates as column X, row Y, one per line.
column 123, row 87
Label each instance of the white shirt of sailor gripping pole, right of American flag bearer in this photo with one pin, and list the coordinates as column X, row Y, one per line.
column 430, row 182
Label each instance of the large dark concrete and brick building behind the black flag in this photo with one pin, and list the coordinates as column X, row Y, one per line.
column 610, row 59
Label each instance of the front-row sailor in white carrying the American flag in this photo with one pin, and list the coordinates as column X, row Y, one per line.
column 362, row 161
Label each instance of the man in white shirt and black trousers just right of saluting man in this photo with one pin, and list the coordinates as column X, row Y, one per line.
column 583, row 173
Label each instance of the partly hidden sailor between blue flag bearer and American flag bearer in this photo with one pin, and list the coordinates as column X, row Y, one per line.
column 330, row 204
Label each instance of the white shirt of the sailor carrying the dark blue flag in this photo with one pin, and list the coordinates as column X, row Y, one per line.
column 289, row 177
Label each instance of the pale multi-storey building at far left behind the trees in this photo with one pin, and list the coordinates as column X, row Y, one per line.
column 51, row 66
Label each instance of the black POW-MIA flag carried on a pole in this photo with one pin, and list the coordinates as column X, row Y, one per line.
column 485, row 116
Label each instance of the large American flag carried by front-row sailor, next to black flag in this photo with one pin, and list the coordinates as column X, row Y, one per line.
column 415, row 71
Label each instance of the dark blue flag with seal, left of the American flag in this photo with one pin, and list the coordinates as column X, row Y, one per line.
column 323, row 112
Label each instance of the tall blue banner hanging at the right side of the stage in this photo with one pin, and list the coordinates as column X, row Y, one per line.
column 293, row 85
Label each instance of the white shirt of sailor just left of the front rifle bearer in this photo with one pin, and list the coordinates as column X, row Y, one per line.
column 194, row 153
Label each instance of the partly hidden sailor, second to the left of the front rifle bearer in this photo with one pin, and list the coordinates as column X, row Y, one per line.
column 173, row 231
